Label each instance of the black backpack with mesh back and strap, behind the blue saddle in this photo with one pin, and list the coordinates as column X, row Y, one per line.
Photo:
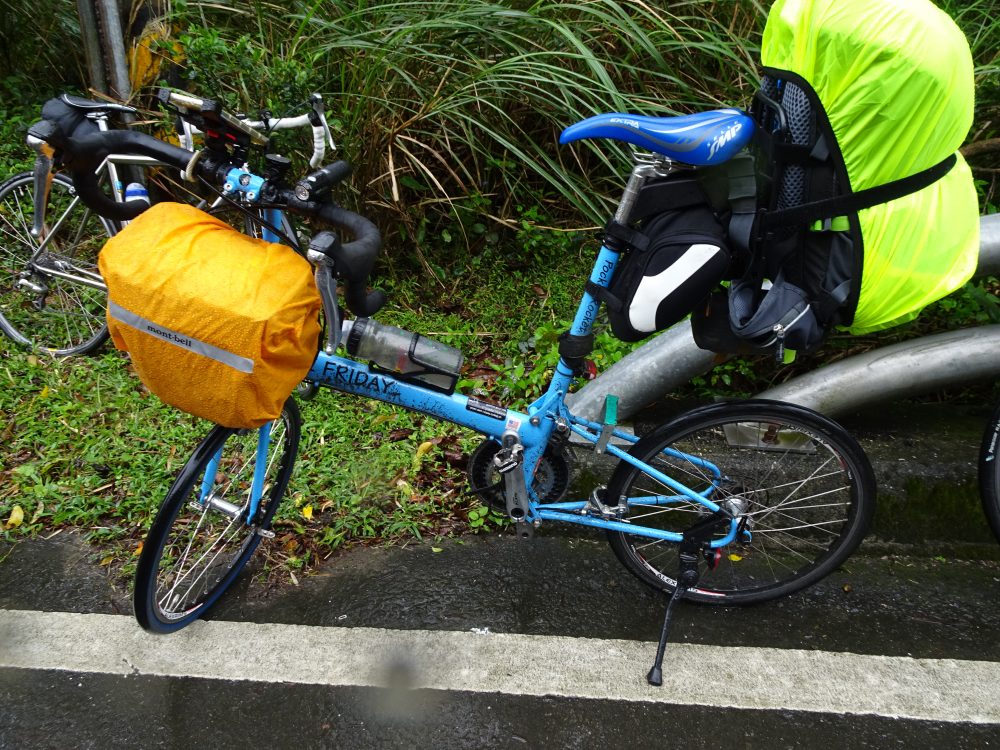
column 794, row 229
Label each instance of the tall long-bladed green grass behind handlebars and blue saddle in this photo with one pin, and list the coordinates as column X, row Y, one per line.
column 439, row 100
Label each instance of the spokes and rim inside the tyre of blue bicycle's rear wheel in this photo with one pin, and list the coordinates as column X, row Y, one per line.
column 792, row 492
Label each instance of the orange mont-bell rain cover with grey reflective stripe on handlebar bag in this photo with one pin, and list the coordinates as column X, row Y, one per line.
column 217, row 323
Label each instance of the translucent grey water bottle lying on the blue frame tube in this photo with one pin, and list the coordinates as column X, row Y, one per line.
column 408, row 355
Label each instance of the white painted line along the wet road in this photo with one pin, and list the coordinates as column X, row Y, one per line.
column 947, row 690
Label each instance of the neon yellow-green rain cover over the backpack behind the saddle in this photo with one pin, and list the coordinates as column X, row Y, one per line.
column 896, row 80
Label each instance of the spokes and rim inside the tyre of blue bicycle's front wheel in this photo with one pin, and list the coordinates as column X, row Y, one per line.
column 209, row 541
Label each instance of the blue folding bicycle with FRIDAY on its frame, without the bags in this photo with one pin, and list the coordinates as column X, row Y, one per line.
column 733, row 503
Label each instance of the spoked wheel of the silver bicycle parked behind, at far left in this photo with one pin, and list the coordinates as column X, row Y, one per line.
column 37, row 309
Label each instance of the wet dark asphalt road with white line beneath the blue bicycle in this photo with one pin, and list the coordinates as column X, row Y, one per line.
column 494, row 642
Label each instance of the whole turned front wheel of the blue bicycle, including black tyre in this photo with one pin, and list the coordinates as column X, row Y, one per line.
column 194, row 551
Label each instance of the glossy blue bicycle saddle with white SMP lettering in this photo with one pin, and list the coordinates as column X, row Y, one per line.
column 700, row 139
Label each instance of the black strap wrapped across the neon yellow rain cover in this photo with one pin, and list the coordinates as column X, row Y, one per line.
column 841, row 205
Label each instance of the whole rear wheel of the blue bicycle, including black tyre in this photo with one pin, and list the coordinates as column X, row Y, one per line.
column 801, row 482
